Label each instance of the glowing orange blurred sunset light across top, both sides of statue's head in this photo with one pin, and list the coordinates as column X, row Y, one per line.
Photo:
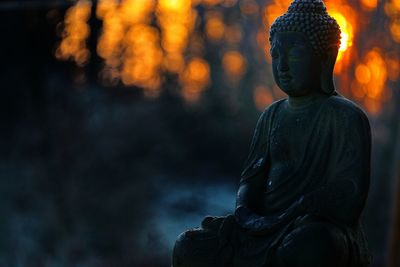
column 142, row 41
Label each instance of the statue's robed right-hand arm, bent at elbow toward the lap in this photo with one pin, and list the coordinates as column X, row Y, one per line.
column 343, row 198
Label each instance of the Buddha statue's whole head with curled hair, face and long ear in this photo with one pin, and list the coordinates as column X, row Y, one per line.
column 304, row 46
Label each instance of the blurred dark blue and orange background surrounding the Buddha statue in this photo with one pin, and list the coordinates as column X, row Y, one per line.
column 123, row 123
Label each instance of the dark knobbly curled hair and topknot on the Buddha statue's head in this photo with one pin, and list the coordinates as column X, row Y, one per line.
column 310, row 18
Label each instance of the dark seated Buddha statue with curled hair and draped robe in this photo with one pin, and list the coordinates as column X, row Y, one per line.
column 306, row 179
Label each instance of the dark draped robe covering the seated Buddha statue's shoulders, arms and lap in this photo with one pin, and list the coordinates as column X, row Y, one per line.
column 329, row 180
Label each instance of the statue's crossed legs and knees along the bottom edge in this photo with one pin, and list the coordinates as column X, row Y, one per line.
column 309, row 241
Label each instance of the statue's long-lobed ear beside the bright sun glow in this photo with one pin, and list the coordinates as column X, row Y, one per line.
column 328, row 64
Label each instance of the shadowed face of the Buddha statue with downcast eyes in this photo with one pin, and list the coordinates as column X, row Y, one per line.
column 296, row 68
